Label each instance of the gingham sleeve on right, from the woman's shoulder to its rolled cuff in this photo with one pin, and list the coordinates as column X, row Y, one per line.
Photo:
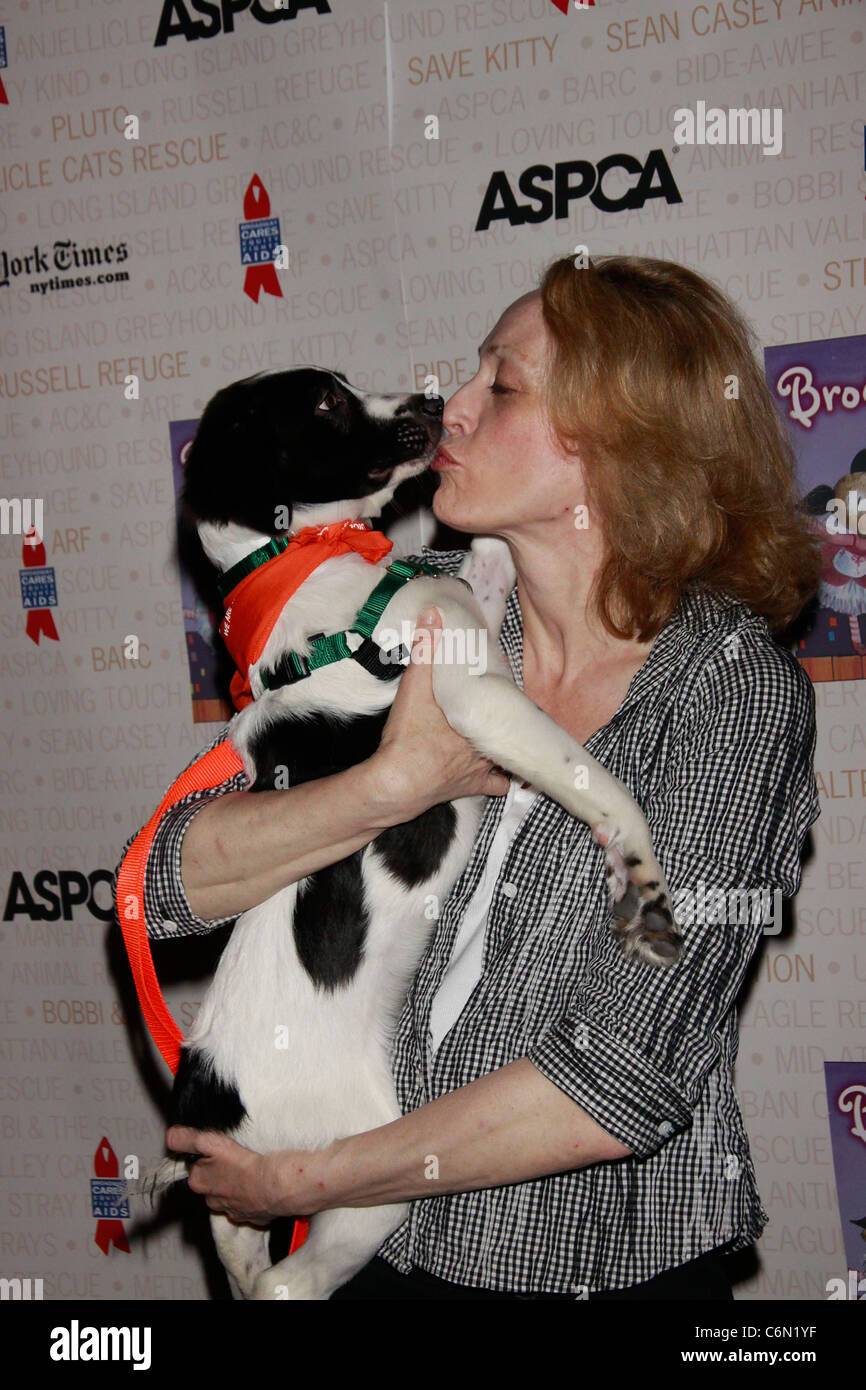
column 729, row 815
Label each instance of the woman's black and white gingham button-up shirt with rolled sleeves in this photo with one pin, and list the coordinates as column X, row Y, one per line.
column 717, row 740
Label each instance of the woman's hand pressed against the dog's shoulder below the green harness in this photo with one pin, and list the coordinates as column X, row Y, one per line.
column 422, row 761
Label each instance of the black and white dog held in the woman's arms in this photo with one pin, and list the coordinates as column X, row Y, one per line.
column 330, row 958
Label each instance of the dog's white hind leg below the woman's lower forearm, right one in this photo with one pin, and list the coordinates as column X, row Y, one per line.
column 340, row 1243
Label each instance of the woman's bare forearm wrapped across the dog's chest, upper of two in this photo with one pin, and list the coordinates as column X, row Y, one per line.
column 245, row 847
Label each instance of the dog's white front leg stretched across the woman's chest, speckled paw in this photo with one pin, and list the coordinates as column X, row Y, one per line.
column 504, row 725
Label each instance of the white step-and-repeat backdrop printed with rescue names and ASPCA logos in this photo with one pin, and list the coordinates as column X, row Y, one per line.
column 199, row 190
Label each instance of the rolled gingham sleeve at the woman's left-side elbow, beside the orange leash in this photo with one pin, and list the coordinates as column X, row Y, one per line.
column 168, row 913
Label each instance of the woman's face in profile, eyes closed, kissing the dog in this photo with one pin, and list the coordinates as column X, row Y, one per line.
column 503, row 471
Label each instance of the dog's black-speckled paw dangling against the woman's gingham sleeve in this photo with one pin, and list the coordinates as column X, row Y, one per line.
column 643, row 915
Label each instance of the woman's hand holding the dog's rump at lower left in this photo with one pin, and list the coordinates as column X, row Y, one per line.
column 247, row 1188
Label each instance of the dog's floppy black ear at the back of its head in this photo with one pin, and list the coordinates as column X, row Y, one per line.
column 236, row 430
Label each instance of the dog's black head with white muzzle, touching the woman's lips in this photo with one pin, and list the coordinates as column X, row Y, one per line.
column 308, row 443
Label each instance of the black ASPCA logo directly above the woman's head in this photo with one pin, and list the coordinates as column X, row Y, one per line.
column 576, row 179
